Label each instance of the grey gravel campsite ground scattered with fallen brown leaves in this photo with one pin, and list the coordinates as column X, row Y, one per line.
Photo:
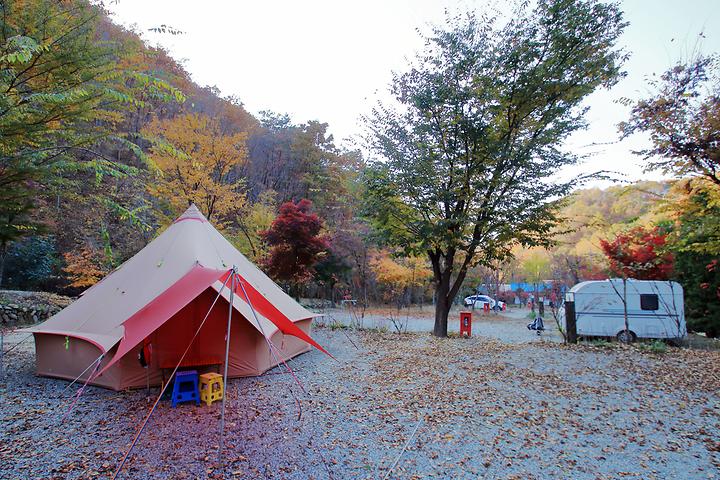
column 478, row 408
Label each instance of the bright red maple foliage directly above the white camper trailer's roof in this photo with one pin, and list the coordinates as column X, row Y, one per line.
column 639, row 253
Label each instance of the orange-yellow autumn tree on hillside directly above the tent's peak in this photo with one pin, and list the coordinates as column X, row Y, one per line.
column 197, row 162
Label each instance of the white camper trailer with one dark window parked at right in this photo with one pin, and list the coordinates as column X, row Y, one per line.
column 655, row 309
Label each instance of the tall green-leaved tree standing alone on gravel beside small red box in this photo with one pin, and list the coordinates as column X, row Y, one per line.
column 471, row 146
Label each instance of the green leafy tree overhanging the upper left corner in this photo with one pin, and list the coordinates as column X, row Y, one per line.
column 61, row 94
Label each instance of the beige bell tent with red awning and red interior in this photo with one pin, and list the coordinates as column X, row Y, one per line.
column 134, row 326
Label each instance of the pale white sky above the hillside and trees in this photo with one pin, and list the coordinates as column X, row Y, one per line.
column 330, row 60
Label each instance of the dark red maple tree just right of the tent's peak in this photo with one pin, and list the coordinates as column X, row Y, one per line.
column 295, row 241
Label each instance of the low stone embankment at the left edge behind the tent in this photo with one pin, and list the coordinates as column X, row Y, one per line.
column 26, row 308
